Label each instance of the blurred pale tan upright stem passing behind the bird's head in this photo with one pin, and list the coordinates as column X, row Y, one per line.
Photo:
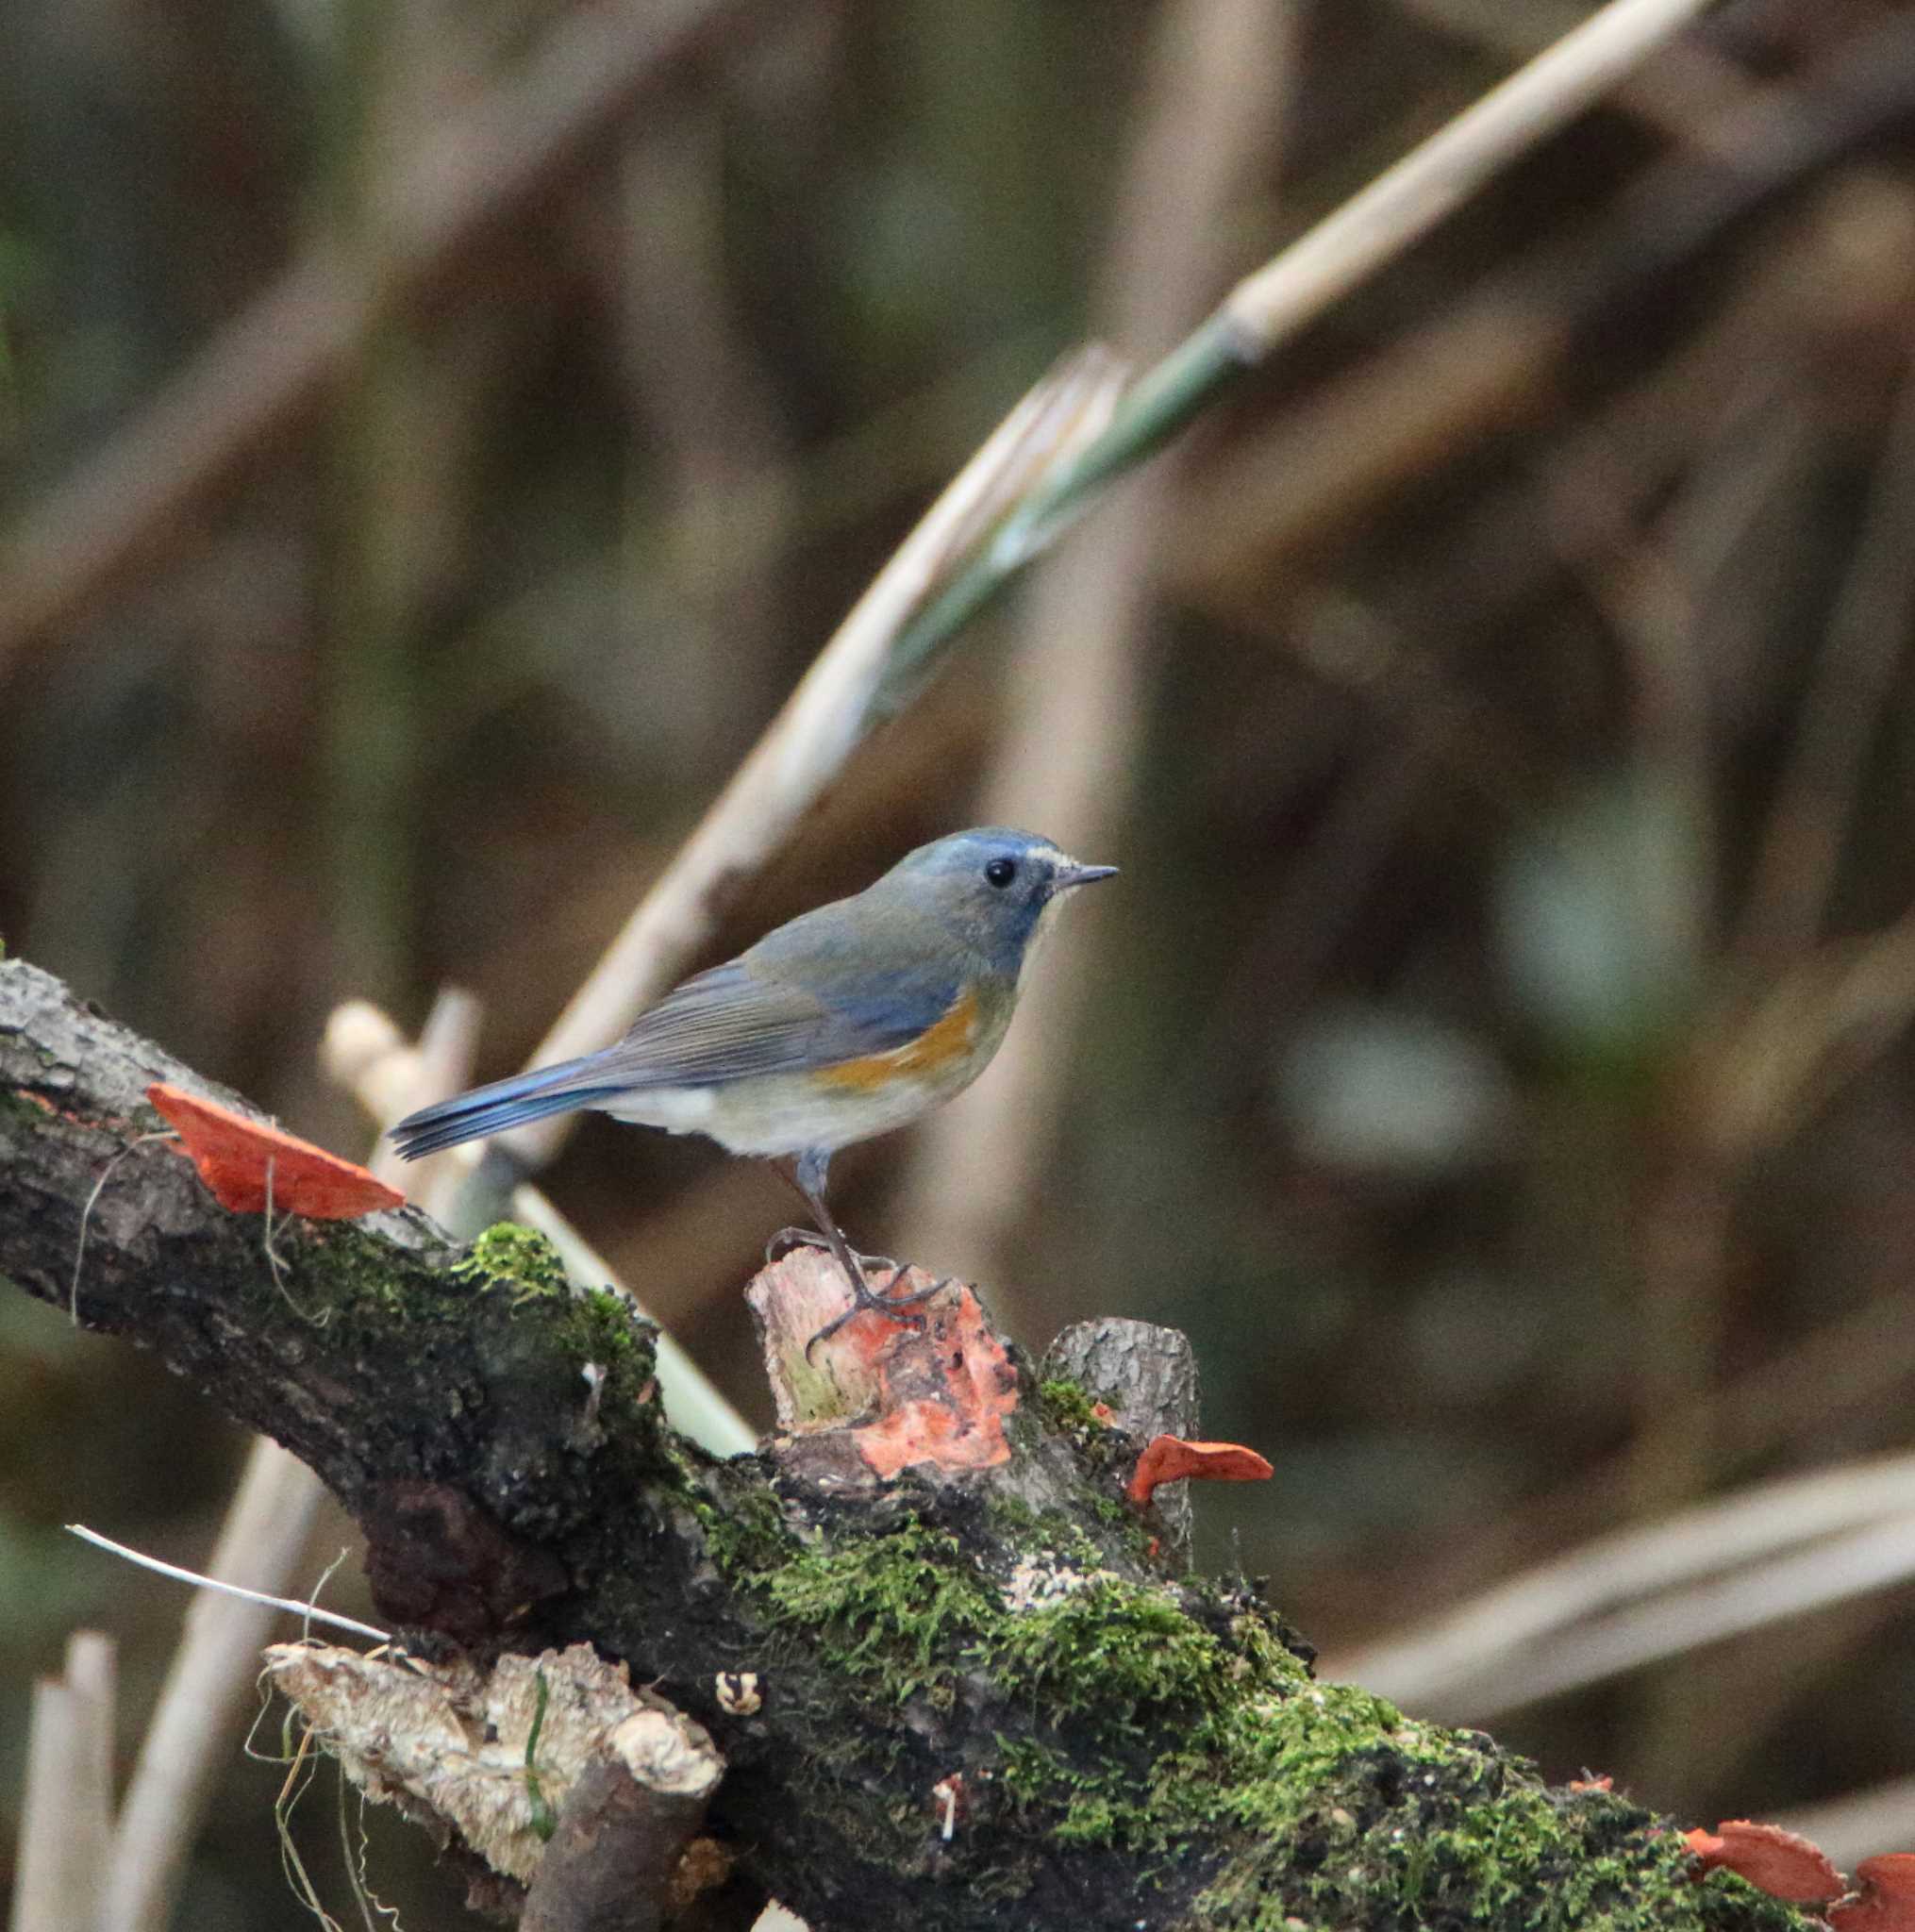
column 1077, row 695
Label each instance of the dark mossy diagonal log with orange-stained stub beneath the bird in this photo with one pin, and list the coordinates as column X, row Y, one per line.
column 954, row 1672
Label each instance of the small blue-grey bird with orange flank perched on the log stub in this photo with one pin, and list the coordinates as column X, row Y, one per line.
column 842, row 1025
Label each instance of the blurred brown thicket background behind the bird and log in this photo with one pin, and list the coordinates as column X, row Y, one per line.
column 1497, row 1050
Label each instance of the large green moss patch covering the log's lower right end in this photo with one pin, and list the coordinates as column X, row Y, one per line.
column 1330, row 1805
